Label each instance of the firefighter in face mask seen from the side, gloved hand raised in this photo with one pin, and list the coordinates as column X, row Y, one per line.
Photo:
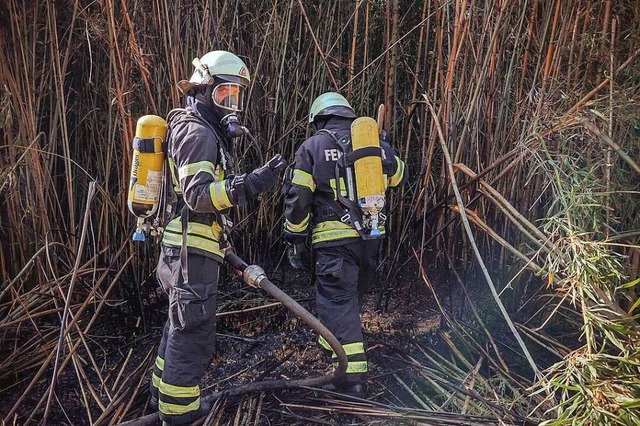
column 202, row 172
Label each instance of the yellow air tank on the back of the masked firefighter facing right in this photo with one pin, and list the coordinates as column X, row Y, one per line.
column 145, row 185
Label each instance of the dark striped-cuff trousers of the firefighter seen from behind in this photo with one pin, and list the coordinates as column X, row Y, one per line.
column 344, row 273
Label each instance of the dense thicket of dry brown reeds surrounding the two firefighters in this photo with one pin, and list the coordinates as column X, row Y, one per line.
column 519, row 120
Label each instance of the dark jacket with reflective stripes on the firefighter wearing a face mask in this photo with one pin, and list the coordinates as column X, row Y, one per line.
column 198, row 162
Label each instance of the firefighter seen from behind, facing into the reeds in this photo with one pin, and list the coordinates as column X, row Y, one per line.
column 345, row 258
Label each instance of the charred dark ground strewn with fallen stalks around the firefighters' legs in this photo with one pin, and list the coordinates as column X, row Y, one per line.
column 261, row 340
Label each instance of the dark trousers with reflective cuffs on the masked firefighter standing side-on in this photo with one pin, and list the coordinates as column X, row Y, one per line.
column 188, row 340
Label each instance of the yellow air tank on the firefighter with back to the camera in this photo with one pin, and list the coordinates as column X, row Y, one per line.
column 369, row 179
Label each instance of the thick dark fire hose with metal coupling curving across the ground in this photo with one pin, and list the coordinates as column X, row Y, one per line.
column 255, row 276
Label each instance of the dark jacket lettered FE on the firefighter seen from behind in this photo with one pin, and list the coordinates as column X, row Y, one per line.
column 313, row 186
